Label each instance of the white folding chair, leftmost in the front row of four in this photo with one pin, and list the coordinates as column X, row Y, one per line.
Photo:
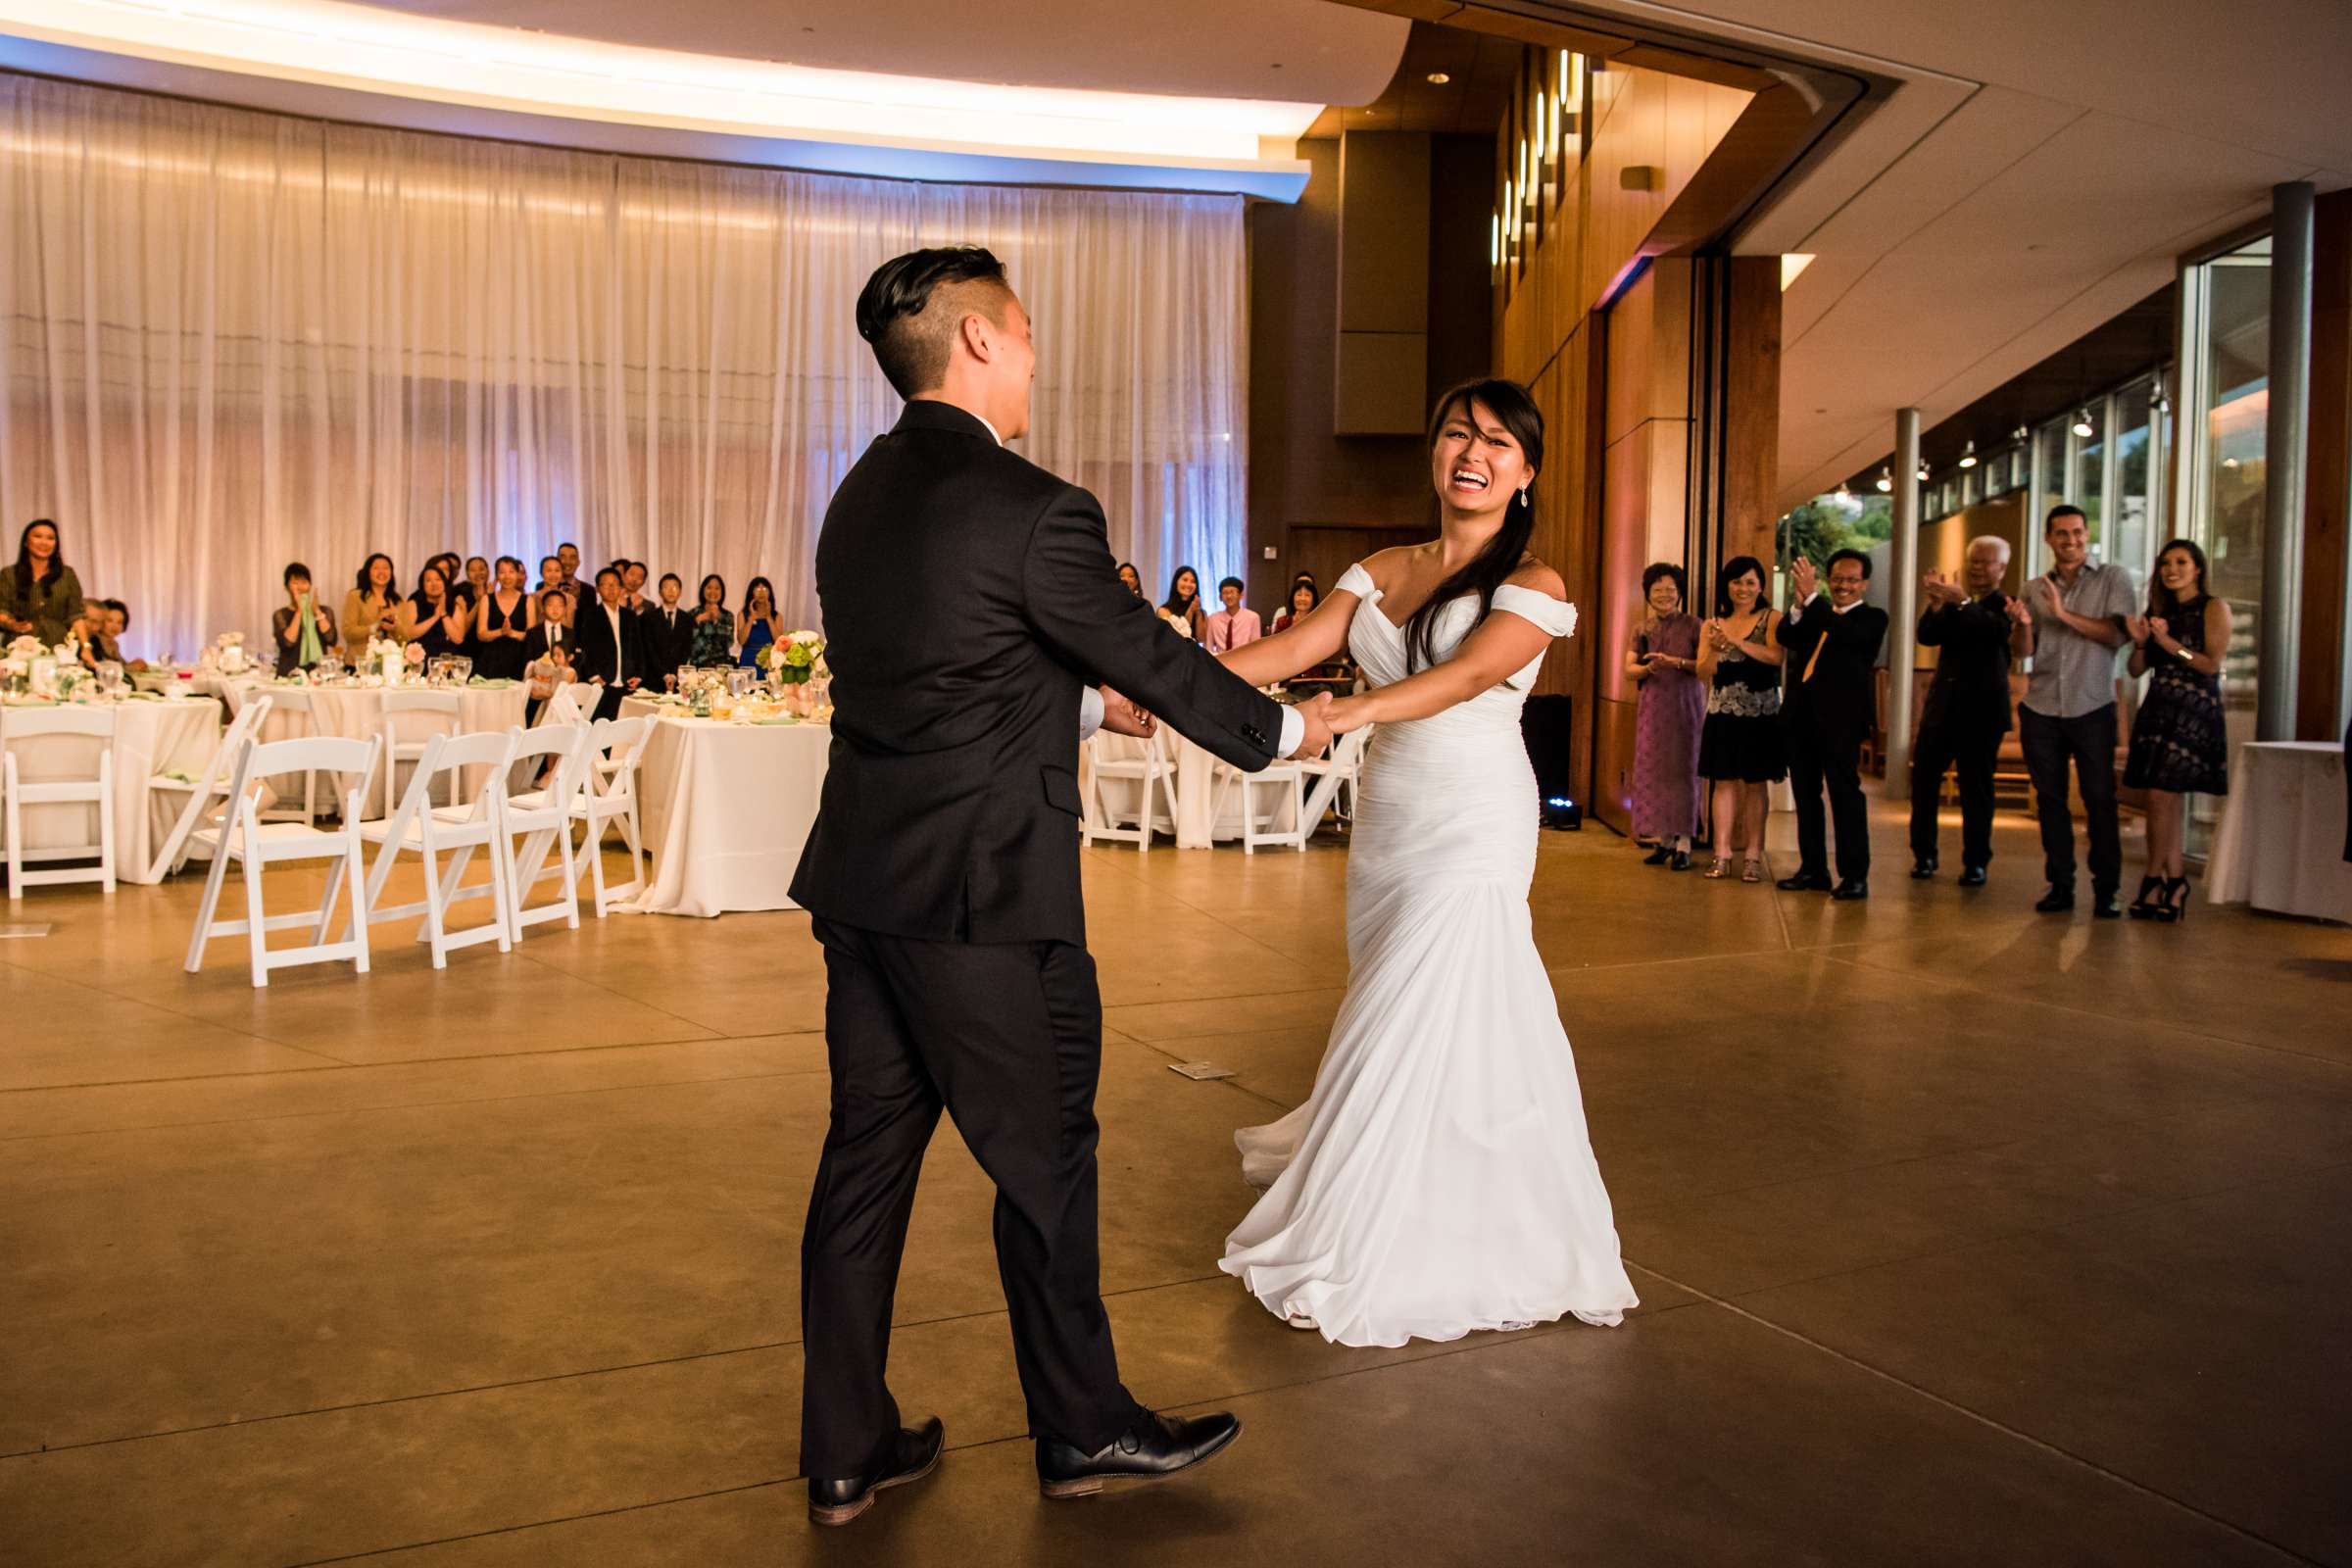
column 241, row 836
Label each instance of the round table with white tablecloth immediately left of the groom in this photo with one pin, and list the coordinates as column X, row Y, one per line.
column 726, row 810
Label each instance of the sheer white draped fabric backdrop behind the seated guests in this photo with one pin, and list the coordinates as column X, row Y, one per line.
column 239, row 340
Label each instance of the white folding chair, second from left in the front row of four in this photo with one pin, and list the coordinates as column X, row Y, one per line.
column 455, row 831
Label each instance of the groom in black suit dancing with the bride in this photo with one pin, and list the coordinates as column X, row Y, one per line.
column 973, row 608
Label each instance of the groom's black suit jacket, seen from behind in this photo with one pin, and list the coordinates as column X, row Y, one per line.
column 968, row 601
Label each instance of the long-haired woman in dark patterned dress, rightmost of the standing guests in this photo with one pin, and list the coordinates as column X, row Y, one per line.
column 2179, row 742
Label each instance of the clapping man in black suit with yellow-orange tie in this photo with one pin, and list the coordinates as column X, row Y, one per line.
column 1833, row 648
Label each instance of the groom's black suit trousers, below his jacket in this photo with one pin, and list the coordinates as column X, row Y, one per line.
column 1010, row 1040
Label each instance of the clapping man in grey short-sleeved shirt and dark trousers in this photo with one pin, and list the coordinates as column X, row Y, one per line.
column 2073, row 626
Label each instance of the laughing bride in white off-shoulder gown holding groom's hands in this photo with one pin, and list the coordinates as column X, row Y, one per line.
column 1441, row 1177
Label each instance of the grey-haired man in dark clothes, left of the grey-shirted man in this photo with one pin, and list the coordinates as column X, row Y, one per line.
column 1967, row 704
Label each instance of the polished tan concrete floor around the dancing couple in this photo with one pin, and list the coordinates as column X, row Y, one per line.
column 1965, row 1238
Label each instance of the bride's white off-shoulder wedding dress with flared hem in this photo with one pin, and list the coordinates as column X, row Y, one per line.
column 1441, row 1177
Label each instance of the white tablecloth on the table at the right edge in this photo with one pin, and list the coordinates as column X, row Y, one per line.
column 2283, row 838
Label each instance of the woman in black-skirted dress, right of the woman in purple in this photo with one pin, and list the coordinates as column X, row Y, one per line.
column 1742, row 749
